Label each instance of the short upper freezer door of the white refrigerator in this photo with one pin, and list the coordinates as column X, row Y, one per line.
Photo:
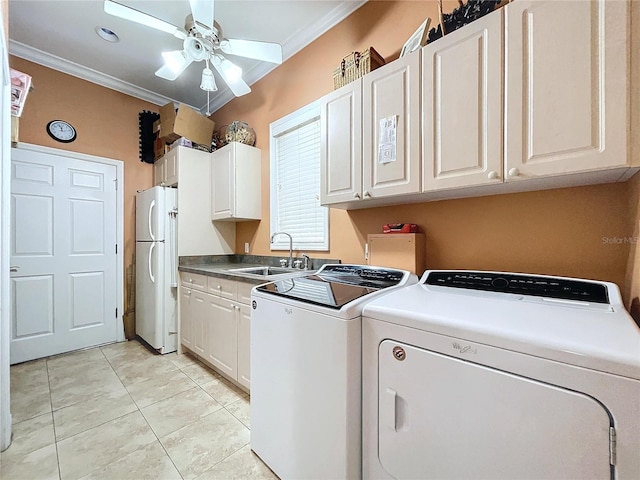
column 151, row 215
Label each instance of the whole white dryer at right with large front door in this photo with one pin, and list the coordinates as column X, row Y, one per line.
column 487, row 375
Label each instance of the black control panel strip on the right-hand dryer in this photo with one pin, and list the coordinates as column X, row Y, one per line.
column 533, row 285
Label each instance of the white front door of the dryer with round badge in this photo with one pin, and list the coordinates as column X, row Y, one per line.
column 441, row 417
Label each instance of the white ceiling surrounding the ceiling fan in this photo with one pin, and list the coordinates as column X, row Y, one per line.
column 61, row 34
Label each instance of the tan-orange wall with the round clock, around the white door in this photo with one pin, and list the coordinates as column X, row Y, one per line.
column 107, row 126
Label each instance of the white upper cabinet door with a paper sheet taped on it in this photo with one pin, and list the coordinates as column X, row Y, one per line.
column 391, row 156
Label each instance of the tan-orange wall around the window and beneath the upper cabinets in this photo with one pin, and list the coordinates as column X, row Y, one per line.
column 556, row 232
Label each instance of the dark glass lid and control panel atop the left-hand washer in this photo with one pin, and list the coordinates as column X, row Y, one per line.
column 335, row 286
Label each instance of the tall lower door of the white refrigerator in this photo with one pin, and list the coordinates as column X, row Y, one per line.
column 150, row 292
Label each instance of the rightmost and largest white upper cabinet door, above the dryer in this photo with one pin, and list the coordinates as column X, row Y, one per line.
column 566, row 78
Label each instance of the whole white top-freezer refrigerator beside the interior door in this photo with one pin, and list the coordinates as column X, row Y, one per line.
column 157, row 268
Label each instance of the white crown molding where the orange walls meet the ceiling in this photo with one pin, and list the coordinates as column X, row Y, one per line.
column 293, row 45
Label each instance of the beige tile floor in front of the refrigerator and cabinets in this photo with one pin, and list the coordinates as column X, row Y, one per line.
column 123, row 412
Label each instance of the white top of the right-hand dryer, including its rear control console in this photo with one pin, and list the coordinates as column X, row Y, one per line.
column 592, row 334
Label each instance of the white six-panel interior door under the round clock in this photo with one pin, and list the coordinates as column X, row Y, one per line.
column 64, row 290
